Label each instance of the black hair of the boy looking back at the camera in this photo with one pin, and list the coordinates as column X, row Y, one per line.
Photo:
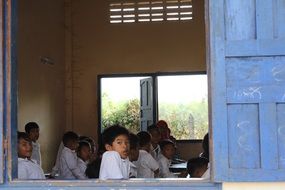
column 112, row 132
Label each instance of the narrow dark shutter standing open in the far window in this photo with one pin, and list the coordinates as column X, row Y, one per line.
column 146, row 99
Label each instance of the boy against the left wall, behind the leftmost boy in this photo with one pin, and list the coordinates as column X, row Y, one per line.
column 32, row 129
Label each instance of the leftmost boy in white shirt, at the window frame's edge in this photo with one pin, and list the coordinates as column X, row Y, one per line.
column 27, row 168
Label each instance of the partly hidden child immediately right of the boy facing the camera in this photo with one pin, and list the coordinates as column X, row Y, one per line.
column 133, row 154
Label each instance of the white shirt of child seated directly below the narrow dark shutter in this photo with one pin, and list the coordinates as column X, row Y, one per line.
column 146, row 165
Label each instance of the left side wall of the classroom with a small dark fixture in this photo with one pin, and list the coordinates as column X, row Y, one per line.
column 41, row 87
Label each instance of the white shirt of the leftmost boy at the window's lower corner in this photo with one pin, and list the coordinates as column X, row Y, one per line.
column 29, row 169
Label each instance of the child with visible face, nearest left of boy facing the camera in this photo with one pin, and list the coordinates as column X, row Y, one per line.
column 83, row 153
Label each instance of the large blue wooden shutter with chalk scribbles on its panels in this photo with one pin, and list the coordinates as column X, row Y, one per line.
column 247, row 82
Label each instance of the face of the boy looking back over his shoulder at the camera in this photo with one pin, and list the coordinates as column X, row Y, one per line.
column 120, row 145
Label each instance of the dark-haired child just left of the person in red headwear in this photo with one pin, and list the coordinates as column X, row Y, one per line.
column 155, row 139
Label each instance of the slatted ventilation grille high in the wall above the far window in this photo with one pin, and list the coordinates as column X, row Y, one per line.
column 151, row 11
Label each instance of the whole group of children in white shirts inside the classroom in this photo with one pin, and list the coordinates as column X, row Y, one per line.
column 122, row 155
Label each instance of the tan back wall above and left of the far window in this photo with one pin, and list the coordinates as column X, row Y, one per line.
column 103, row 48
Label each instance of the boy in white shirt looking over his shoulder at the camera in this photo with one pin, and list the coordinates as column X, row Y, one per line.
column 115, row 163
